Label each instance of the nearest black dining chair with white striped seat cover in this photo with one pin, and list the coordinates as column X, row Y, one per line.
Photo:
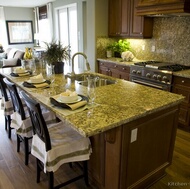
column 56, row 144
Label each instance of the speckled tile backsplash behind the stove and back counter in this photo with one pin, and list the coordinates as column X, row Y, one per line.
column 171, row 39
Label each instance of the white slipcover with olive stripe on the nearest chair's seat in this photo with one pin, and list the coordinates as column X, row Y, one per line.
column 67, row 146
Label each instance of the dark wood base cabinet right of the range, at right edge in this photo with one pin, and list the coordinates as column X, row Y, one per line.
column 182, row 86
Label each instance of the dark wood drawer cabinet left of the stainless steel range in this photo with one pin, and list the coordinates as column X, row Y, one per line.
column 114, row 70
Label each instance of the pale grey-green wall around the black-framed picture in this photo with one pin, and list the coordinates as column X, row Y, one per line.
column 15, row 13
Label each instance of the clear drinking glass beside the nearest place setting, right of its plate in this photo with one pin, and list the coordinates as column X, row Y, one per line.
column 91, row 88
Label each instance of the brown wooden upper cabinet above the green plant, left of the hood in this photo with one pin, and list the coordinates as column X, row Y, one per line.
column 123, row 21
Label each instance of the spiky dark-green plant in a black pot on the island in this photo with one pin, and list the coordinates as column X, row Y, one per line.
column 56, row 54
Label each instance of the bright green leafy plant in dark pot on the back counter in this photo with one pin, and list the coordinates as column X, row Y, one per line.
column 121, row 46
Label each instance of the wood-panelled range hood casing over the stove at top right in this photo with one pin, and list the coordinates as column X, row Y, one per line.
column 152, row 7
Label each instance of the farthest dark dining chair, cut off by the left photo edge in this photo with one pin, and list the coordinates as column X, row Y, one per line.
column 6, row 106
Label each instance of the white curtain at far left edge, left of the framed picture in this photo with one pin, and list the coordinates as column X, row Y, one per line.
column 3, row 34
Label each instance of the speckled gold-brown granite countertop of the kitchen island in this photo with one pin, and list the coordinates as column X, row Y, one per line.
column 117, row 104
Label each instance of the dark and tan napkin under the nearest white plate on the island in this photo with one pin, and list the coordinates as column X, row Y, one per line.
column 72, row 106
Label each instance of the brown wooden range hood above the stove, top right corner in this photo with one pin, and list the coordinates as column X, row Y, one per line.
column 181, row 8
